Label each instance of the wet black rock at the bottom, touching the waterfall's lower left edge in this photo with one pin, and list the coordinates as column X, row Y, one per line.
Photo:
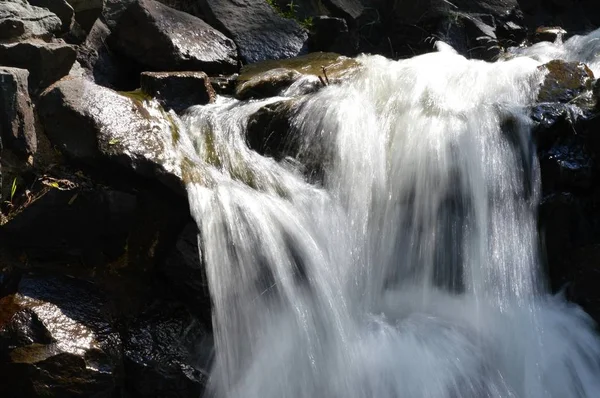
column 167, row 353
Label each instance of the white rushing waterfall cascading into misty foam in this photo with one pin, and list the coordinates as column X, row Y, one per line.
column 410, row 267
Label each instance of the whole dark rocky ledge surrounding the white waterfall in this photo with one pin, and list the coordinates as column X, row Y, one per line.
column 102, row 289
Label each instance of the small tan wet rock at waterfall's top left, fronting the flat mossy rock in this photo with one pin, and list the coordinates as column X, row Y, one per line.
column 267, row 84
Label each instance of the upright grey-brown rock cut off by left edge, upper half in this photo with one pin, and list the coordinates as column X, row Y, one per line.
column 17, row 124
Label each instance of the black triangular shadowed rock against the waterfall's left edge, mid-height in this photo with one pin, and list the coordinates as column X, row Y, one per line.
column 184, row 269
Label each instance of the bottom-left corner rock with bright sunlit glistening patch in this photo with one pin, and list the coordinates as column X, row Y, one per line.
column 56, row 339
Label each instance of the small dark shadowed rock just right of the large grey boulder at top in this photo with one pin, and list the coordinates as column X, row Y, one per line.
column 331, row 34
